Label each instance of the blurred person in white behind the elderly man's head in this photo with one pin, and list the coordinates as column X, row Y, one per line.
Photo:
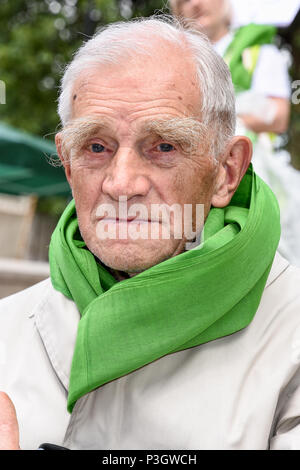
column 260, row 76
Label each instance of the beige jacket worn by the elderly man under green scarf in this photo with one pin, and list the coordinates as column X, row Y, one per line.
column 237, row 392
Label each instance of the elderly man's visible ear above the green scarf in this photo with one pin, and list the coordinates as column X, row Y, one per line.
column 233, row 165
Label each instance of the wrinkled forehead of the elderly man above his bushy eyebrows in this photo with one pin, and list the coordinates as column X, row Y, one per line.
column 168, row 74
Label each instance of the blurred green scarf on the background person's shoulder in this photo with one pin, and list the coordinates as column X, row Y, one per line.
column 246, row 37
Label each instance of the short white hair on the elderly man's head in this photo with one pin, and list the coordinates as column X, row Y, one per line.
column 136, row 38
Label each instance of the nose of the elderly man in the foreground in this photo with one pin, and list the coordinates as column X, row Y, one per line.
column 126, row 176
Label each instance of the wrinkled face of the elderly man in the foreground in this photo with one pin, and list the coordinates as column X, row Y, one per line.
column 131, row 152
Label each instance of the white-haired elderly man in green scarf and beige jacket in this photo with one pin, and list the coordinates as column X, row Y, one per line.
column 148, row 336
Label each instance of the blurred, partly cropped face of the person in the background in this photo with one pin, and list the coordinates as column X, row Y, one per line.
column 209, row 14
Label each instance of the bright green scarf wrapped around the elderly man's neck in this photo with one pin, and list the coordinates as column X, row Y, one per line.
column 202, row 294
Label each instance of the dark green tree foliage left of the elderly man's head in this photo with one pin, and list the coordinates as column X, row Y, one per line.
column 37, row 39
